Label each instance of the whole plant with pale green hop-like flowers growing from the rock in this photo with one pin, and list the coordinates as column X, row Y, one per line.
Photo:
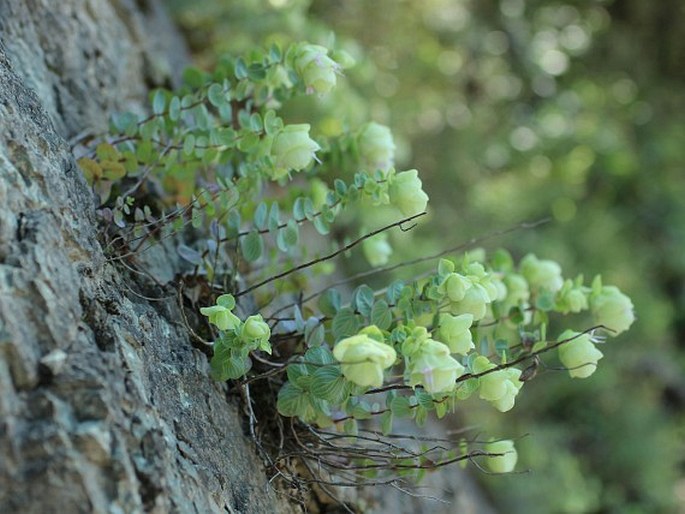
column 342, row 367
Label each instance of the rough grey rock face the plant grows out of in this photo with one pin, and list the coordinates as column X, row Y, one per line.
column 104, row 404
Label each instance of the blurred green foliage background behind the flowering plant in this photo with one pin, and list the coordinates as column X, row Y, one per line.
column 514, row 111
